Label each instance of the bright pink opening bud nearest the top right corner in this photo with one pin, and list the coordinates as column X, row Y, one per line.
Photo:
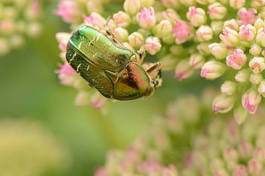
column 247, row 16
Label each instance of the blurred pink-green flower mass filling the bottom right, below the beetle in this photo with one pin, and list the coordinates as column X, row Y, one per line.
column 210, row 146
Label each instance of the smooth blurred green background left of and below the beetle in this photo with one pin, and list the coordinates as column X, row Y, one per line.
column 30, row 90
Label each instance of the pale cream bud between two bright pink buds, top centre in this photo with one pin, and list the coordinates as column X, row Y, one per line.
column 164, row 28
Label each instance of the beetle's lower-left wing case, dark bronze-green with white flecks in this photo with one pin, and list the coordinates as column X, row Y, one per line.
column 94, row 76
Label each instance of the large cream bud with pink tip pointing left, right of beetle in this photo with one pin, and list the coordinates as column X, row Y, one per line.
column 212, row 70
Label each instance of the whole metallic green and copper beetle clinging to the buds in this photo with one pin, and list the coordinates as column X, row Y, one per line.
column 111, row 68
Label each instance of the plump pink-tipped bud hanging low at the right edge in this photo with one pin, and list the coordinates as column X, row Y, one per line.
column 251, row 100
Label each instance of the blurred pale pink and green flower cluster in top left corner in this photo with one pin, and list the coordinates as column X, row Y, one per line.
column 18, row 19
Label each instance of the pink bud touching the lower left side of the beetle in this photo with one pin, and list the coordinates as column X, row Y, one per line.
column 65, row 74
